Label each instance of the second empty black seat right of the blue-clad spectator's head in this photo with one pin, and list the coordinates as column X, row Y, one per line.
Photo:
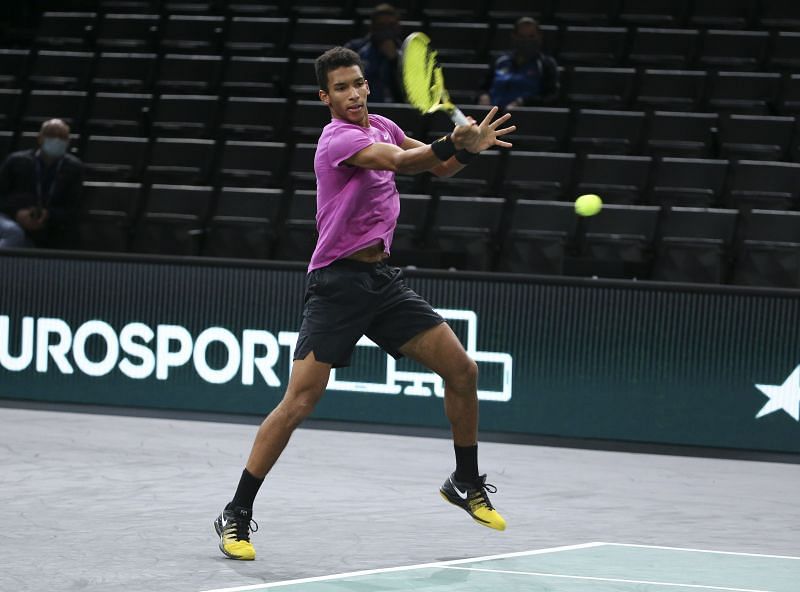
column 662, row 48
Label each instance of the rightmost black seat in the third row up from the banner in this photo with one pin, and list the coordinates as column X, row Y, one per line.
column 755, row 137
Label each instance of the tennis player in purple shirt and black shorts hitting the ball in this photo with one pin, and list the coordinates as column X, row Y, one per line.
column 351, row 290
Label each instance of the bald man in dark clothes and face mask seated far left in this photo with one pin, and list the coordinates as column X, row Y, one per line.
column 39, row 192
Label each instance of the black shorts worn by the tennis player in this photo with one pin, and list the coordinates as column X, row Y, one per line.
column 348, row 299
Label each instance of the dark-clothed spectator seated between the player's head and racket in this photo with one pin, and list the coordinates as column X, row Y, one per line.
column 379, row 52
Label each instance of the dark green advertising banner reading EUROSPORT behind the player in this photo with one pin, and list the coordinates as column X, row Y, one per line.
column 580, row 358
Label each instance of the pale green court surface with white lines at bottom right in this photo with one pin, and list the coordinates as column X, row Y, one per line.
column 591, row 567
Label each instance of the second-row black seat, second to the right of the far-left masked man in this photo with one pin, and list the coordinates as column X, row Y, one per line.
column 185, row 161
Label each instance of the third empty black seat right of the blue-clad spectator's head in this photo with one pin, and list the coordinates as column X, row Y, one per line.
column 733, row 50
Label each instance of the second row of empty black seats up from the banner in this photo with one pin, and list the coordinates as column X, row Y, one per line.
column 516, row 174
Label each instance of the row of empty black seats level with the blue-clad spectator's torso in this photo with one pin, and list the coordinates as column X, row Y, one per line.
column 616, row 88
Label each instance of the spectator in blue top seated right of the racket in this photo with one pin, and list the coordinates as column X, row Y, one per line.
column 523, row 76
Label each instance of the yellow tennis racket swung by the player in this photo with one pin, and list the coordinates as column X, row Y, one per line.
column 423, row 79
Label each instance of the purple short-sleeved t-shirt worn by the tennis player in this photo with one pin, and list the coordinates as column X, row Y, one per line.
column 355, row 207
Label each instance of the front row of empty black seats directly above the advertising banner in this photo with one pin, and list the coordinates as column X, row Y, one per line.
column 755, row 247
